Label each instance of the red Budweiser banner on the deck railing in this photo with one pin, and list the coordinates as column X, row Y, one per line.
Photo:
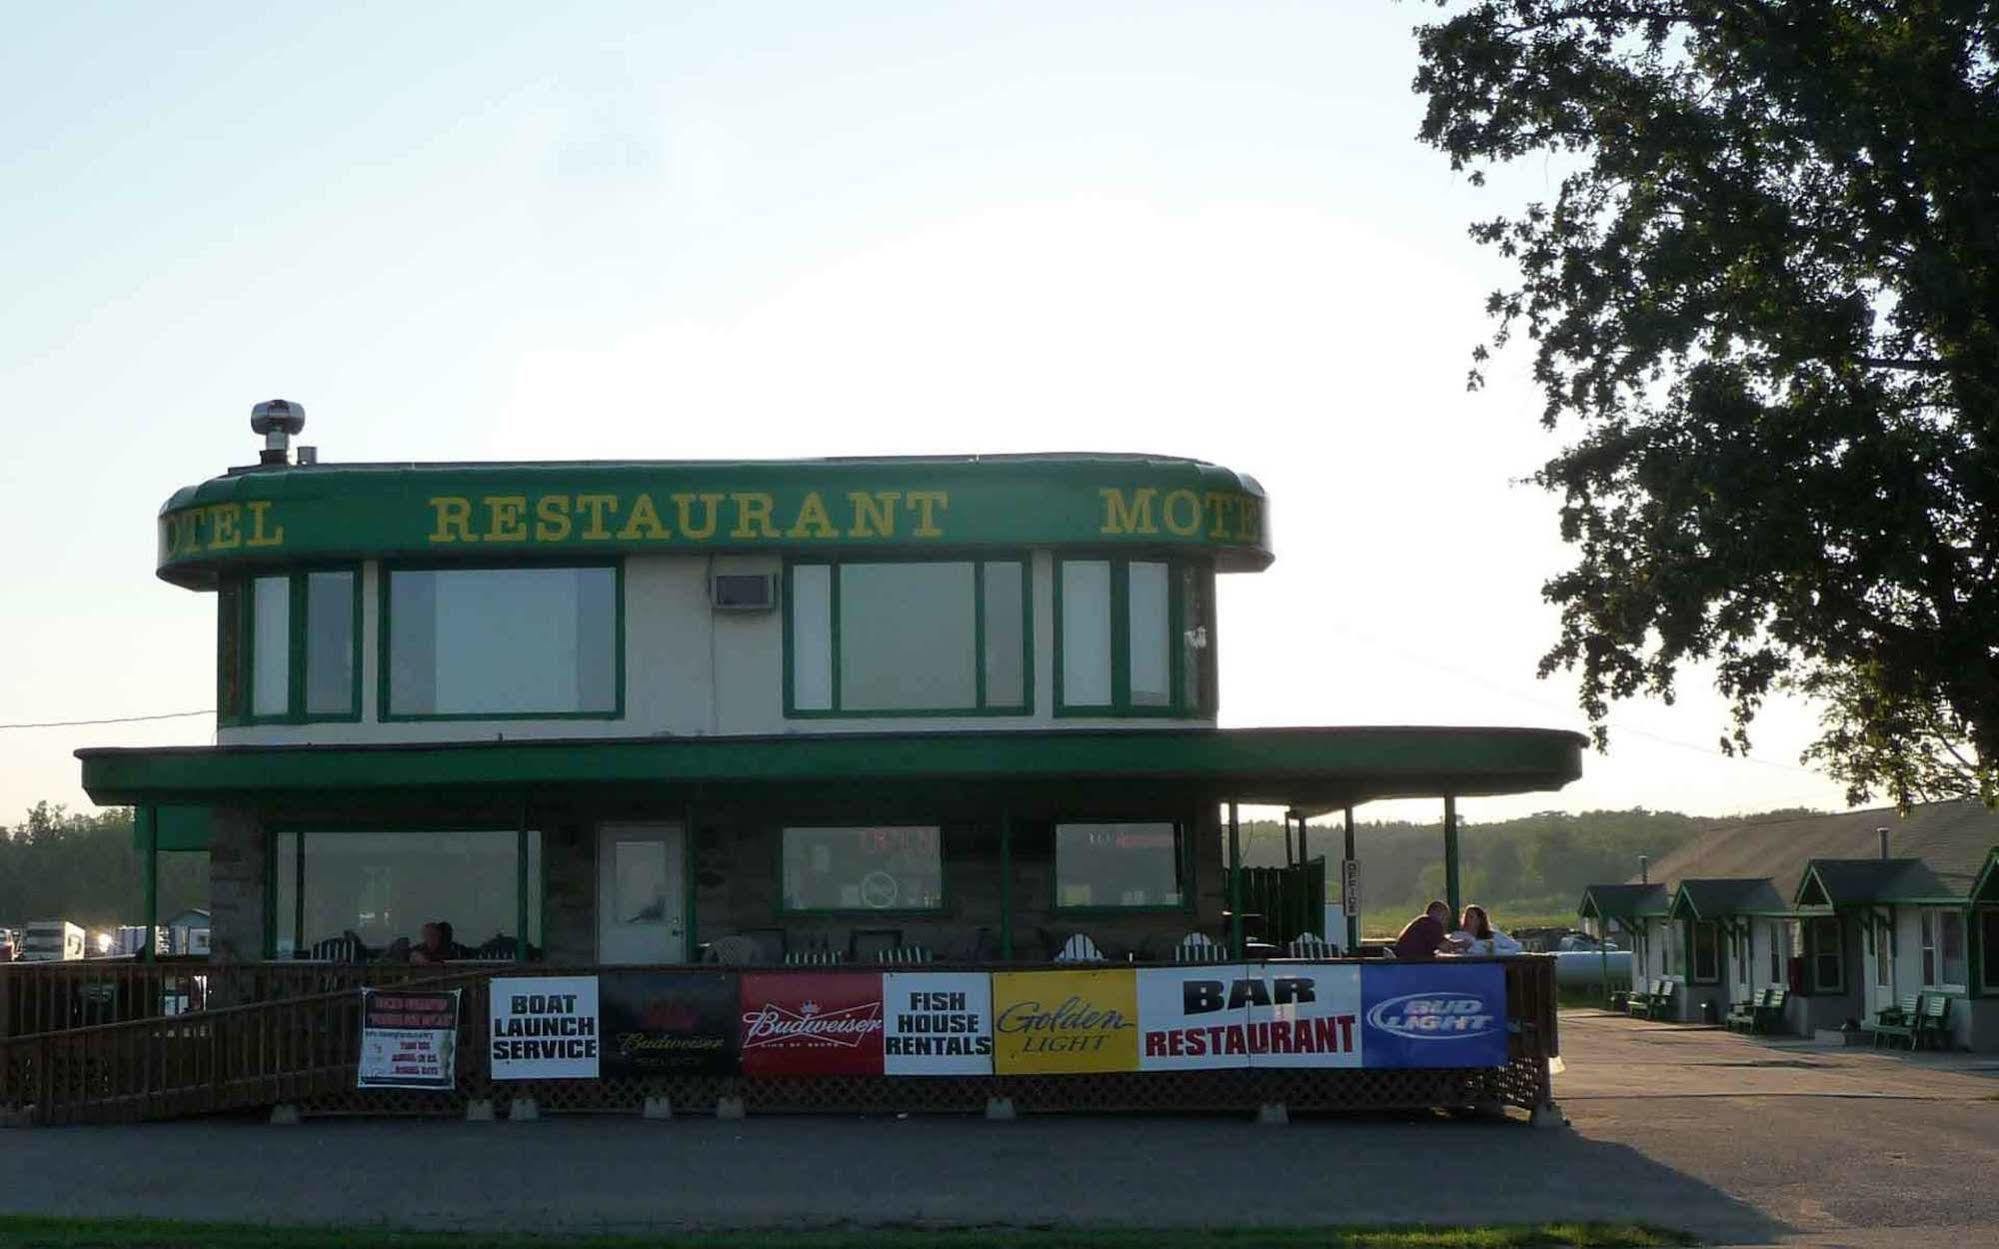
column 813, row 1024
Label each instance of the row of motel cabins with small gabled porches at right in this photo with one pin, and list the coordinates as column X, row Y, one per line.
column 1852, row 914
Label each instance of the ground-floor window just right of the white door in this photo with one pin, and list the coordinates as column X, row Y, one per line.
column 893, row 868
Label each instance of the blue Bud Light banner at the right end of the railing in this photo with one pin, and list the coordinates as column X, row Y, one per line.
column 1434, row 1014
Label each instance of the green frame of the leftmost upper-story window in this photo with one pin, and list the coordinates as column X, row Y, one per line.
column 237, row 648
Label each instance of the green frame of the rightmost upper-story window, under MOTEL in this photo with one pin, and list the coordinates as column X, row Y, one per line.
column 1190, row 646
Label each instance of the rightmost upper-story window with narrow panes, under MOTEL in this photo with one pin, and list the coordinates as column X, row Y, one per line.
column 1134, row 638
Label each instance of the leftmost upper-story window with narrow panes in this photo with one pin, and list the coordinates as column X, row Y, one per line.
column 291, row 648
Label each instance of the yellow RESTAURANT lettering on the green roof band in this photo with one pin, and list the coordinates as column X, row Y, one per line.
column 743, row 517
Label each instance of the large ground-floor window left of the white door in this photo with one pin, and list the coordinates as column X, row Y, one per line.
column 407, row 896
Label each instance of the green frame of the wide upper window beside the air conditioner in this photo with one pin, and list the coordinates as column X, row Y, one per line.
column 983, row 662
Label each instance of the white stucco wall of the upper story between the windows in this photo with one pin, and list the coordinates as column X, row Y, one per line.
column 691, row 670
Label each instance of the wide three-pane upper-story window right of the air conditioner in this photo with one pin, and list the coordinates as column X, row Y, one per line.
column 909, row 638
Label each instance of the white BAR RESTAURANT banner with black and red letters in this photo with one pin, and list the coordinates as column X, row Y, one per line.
column 1258, row 1016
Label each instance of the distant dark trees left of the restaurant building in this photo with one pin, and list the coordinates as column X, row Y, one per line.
column 83, row 868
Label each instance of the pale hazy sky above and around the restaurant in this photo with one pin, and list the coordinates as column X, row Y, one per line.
column 687, row 231
